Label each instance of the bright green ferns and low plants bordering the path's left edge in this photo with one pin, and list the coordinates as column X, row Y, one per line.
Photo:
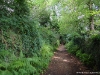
column 20, row 65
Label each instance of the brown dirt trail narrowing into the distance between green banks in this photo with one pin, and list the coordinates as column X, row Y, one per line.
column 63, row 63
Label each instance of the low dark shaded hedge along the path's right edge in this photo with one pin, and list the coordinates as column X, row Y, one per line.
column 86, row 49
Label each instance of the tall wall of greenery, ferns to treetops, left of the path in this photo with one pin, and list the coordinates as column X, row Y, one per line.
column 26, row 44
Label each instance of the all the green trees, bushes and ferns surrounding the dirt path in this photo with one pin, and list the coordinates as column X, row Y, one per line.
column 30, row 30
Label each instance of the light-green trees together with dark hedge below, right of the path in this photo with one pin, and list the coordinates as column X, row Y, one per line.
column 80, row 26
